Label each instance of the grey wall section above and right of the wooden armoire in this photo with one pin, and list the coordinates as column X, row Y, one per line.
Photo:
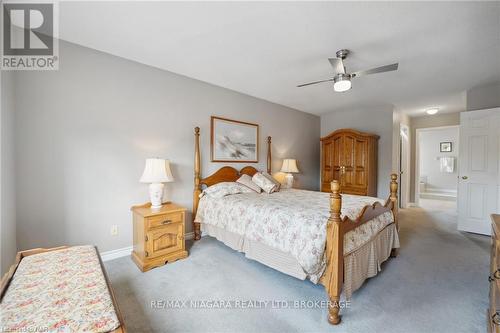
column 376, row 120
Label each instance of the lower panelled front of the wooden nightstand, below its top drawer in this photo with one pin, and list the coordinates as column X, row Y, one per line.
column 165, row 240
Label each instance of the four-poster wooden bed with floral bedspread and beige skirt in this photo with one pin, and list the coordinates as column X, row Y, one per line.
column 335, row 239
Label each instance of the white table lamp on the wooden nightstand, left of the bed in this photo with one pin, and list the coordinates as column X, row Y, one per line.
column 156, row 172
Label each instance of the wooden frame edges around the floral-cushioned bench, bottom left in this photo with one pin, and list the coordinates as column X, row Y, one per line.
column 7, row 278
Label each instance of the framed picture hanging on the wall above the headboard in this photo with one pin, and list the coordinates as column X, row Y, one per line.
column 234, row 141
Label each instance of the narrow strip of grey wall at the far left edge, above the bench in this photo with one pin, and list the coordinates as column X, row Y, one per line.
column 8, row 246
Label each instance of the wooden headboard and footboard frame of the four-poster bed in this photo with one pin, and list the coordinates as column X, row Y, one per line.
column 333, row 277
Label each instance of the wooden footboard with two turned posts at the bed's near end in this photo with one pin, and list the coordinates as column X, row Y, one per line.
column 337, row 227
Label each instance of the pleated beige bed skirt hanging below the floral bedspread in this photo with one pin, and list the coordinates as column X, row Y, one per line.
column 360, row 264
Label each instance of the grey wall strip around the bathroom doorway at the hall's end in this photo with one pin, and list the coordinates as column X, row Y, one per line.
column 446, row 119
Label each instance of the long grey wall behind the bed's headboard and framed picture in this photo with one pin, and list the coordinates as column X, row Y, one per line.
column 83, row 133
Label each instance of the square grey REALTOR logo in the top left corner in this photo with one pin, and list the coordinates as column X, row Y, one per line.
column 29, row 38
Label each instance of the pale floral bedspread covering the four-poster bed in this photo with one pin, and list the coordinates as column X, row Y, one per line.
column 293, row 221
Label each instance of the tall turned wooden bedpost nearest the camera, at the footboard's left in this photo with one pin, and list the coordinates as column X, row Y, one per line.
column 334, row 254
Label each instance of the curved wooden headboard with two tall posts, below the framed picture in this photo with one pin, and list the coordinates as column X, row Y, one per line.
column 224, row 174
